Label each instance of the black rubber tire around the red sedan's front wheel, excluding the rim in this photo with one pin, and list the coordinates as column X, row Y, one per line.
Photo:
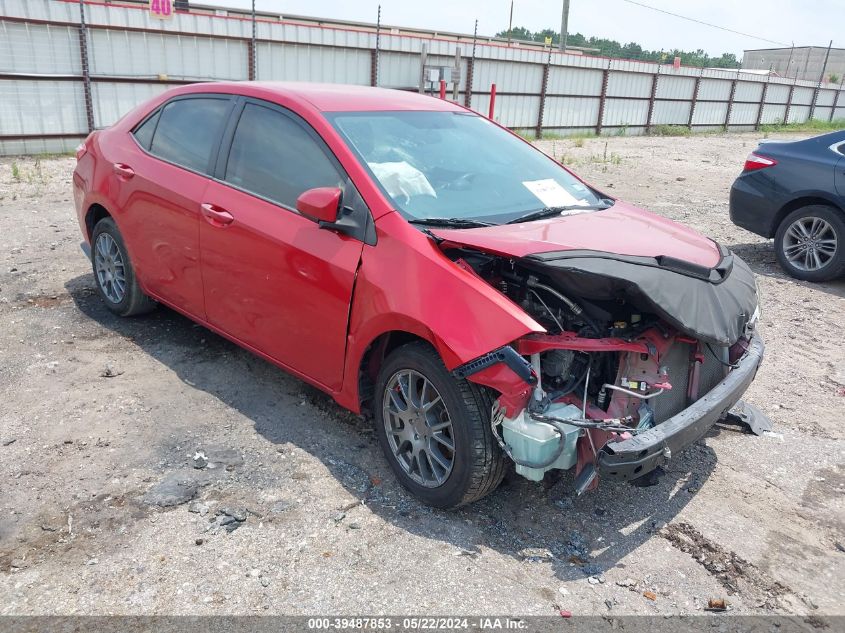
column 478, row 463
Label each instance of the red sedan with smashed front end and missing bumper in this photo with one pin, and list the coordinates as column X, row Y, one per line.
column 419, row 262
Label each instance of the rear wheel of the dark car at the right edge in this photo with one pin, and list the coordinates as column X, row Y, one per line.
column 810, row 243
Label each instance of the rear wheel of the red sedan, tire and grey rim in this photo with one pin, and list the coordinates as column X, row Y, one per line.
column 113, row 272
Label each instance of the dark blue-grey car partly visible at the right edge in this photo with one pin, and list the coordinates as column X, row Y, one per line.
column 794, row 191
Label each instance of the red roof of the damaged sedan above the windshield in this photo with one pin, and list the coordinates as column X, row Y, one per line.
column 332, row 97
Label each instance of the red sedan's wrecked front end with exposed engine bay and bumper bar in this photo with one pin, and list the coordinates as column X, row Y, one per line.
column 641, row 357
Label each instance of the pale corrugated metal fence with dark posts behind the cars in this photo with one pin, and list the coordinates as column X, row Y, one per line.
column 58, row 80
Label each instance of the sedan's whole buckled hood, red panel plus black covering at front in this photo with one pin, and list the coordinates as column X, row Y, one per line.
column 626, row 253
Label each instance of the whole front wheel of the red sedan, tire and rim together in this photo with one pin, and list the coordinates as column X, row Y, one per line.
column 434, row 429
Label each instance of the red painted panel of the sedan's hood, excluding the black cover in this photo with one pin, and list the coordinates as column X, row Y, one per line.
column 622, row 229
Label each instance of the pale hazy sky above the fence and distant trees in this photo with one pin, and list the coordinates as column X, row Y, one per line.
column 807, row 22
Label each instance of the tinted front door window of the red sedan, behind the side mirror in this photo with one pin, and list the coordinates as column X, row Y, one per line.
column 274, row 157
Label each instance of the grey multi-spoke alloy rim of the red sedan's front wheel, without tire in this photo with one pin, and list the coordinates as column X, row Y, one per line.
column 418, row 428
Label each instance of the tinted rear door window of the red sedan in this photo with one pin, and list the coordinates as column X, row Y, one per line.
column 188, row 131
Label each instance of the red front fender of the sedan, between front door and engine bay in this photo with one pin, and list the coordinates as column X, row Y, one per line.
column 407, row 284
